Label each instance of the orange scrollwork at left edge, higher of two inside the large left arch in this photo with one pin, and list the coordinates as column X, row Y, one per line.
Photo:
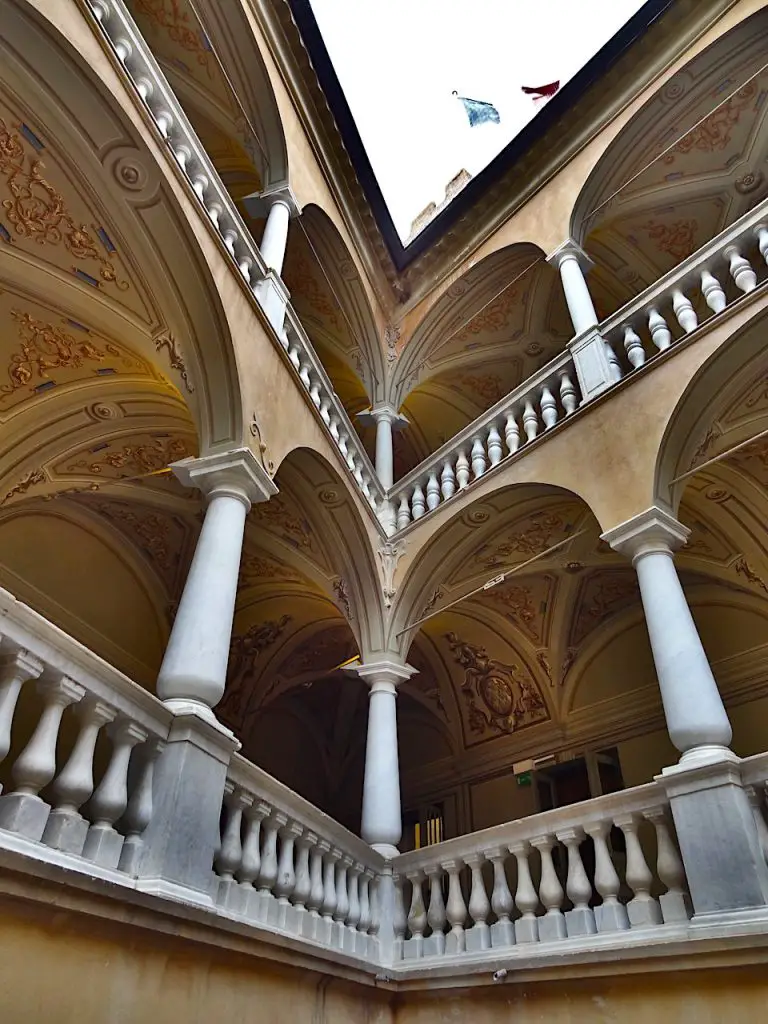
column 38, row 211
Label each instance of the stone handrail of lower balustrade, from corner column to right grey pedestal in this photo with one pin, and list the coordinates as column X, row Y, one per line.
column 636, row 800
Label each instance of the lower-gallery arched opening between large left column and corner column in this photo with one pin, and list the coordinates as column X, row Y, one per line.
column 306, row 600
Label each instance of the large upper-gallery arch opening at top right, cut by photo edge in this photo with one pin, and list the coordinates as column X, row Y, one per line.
column 686, row 167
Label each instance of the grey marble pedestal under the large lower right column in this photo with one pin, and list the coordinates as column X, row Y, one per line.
column 724, row 864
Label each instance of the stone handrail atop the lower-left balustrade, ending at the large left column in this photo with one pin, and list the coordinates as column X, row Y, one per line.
column 25, row 629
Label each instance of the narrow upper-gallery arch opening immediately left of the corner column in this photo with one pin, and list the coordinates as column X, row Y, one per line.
column 330, row 296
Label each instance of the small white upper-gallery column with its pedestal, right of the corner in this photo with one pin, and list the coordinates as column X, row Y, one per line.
column 595, row 364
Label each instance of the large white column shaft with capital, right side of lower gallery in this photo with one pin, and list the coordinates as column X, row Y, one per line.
column 696, row 717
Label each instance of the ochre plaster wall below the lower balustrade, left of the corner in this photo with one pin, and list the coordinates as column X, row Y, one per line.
column 57, row 969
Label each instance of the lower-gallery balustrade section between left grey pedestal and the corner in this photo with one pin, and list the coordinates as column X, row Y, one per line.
column 286, row 866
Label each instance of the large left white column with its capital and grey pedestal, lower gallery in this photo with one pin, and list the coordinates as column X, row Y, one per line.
column 182, row 839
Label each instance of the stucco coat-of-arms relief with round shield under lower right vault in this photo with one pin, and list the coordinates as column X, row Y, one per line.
column 499, row 697
